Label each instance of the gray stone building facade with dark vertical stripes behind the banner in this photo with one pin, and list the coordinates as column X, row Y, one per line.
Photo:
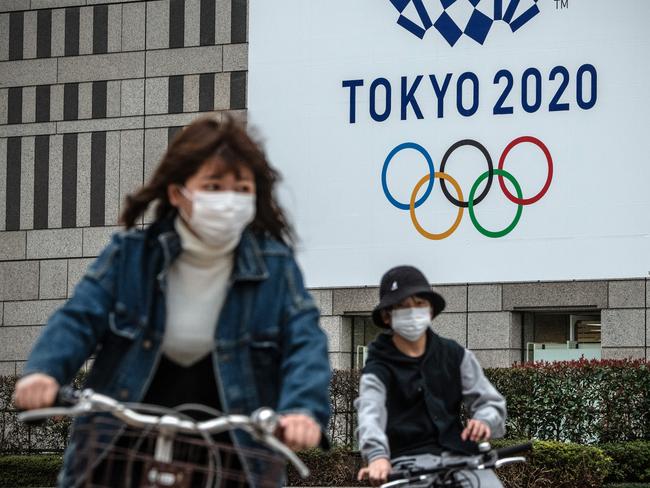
column 91, row 91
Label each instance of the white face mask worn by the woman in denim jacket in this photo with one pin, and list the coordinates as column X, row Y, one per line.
column 220, row 217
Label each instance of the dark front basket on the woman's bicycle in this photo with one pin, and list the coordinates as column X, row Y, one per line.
column 110, row 454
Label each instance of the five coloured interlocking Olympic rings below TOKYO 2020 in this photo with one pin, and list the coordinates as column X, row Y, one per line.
column 472, row 200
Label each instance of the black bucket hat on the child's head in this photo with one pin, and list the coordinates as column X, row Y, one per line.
column 402, row 282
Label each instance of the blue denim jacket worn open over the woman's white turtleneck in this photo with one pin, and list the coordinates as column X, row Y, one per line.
column 269, row 349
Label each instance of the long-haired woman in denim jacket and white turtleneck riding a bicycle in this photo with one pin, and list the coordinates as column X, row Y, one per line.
column 205, row 305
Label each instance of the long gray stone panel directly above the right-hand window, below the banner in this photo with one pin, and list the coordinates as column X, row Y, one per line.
column 574, row 294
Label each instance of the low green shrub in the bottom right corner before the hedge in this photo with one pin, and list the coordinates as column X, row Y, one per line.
column 631, row 460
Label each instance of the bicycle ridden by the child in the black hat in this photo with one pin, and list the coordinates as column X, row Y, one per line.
column 455, row 471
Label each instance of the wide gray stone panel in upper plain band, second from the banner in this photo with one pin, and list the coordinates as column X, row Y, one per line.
column 193, row 60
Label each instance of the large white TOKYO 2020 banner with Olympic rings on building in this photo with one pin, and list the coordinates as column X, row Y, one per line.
column 386, row 117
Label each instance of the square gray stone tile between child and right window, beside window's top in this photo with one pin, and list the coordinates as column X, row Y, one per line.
column 489, row 330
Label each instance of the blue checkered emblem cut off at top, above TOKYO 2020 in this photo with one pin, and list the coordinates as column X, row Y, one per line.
column 473, row 18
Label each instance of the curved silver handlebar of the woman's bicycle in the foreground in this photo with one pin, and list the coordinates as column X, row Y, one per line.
column 261, row 424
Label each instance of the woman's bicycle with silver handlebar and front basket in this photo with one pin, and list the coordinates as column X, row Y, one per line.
column 136, row 445
